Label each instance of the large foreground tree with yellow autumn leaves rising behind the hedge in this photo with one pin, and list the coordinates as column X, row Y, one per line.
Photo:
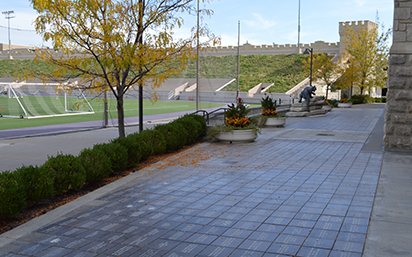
column 117, row 44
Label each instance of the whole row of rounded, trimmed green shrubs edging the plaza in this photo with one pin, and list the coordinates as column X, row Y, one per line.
column 29, row 184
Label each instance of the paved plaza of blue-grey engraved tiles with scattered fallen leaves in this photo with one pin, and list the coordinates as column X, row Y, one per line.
column 320, row 186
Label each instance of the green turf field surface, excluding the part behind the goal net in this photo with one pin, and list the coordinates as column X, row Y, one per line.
column 130, row 110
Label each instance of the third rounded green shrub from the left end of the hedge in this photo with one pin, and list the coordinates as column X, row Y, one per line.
column 68, row 172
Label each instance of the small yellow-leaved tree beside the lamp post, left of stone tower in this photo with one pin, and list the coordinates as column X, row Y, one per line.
column 324, row 69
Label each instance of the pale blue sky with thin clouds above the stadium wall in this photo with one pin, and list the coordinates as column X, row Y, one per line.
column 262, row 22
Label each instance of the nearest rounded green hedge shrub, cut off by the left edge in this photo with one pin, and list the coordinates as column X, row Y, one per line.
column 12, row 195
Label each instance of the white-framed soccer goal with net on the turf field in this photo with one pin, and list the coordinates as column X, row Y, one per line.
column 37, row 100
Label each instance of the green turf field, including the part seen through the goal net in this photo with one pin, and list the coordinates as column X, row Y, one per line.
column 130, row 110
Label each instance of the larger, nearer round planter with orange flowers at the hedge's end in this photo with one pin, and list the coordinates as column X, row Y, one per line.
column 237, row 128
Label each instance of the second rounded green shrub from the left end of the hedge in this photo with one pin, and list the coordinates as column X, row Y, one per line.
column 37, row 182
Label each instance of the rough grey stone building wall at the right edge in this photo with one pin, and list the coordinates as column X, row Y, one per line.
column 398, row 118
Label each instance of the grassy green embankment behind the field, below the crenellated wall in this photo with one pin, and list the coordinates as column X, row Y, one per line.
column 284, row 70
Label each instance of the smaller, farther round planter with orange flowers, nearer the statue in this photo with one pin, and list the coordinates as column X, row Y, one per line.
column 270, row 117
